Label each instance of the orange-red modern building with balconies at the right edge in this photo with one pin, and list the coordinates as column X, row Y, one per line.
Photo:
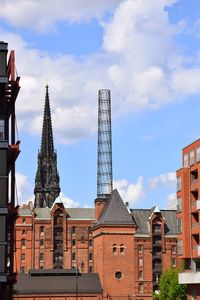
column 188, row 195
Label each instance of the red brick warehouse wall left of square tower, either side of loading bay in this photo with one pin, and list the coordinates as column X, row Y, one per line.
column 37, row 249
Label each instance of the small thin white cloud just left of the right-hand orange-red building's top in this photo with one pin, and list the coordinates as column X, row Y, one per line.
column 162, row 180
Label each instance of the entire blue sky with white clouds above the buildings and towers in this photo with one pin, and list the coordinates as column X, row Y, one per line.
column 146, row 52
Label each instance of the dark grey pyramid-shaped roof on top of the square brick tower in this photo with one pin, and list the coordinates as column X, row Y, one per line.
column 115, row 211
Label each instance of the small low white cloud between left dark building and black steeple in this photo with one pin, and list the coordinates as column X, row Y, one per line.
column 24, row 188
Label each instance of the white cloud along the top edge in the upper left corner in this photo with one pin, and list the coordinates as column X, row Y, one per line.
column 43, row 15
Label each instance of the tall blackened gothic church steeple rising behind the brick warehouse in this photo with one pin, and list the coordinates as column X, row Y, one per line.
column 47, row 179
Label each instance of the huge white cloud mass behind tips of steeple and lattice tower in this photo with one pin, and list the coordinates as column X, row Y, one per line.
column 138, row 63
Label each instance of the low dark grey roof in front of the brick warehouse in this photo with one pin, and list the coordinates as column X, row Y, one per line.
column 57, row 283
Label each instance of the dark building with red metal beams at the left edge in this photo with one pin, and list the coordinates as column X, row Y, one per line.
column 9, row 150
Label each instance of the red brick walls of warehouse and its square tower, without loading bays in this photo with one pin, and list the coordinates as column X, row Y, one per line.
column 94, row 252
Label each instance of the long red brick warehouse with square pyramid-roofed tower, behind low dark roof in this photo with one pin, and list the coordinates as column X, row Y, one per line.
column 128, row 248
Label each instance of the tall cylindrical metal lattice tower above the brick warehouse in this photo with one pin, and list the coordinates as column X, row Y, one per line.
column 104, row 160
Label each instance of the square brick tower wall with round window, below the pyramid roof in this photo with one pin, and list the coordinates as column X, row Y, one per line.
column 114, row 259
